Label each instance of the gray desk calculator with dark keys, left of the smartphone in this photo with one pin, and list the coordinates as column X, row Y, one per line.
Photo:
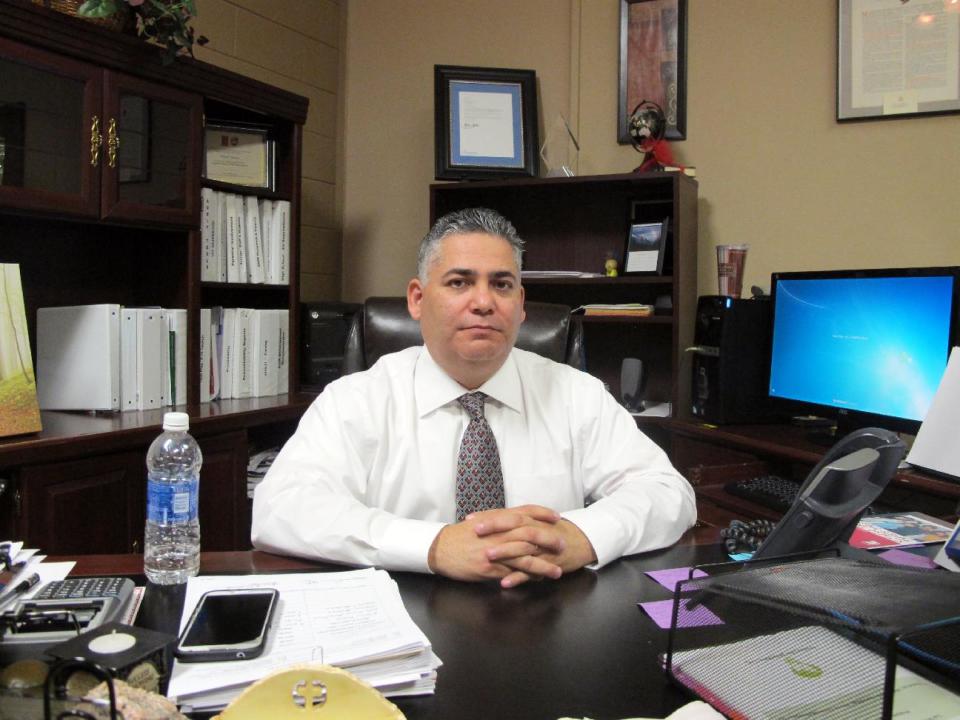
column 61, row 610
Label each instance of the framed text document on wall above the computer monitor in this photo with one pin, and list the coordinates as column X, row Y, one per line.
column 897, row 59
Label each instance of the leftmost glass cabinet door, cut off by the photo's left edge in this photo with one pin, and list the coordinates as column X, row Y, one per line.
column 49, row 131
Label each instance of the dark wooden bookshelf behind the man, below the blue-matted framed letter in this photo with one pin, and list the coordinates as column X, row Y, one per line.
column 575, row 224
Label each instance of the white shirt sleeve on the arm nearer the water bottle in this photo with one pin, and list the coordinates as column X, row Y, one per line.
column 311, row 502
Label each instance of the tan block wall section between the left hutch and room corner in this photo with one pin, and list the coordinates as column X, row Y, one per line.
column 294, row 45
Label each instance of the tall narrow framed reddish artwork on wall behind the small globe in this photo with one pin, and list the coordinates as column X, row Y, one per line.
column 653, row 62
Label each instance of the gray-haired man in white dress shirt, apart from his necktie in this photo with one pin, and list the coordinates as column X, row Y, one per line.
column 370, row 475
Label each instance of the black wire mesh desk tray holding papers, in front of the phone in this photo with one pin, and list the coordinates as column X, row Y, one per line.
column 828, row 638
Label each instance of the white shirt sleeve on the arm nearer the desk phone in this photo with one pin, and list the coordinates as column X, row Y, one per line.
column 636, row 500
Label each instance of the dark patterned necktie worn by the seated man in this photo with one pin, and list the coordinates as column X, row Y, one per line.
column 479, row 478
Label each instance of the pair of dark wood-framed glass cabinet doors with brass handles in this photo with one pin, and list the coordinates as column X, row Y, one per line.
column 87, row 142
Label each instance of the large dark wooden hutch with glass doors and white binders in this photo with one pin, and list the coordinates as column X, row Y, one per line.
column 100, row 178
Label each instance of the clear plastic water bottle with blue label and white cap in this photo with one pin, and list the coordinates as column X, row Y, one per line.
column 171, row 540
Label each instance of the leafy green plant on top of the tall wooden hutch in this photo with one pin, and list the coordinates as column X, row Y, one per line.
column 166, row 22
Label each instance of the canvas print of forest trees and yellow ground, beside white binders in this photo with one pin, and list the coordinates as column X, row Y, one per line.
column 19, row 412
